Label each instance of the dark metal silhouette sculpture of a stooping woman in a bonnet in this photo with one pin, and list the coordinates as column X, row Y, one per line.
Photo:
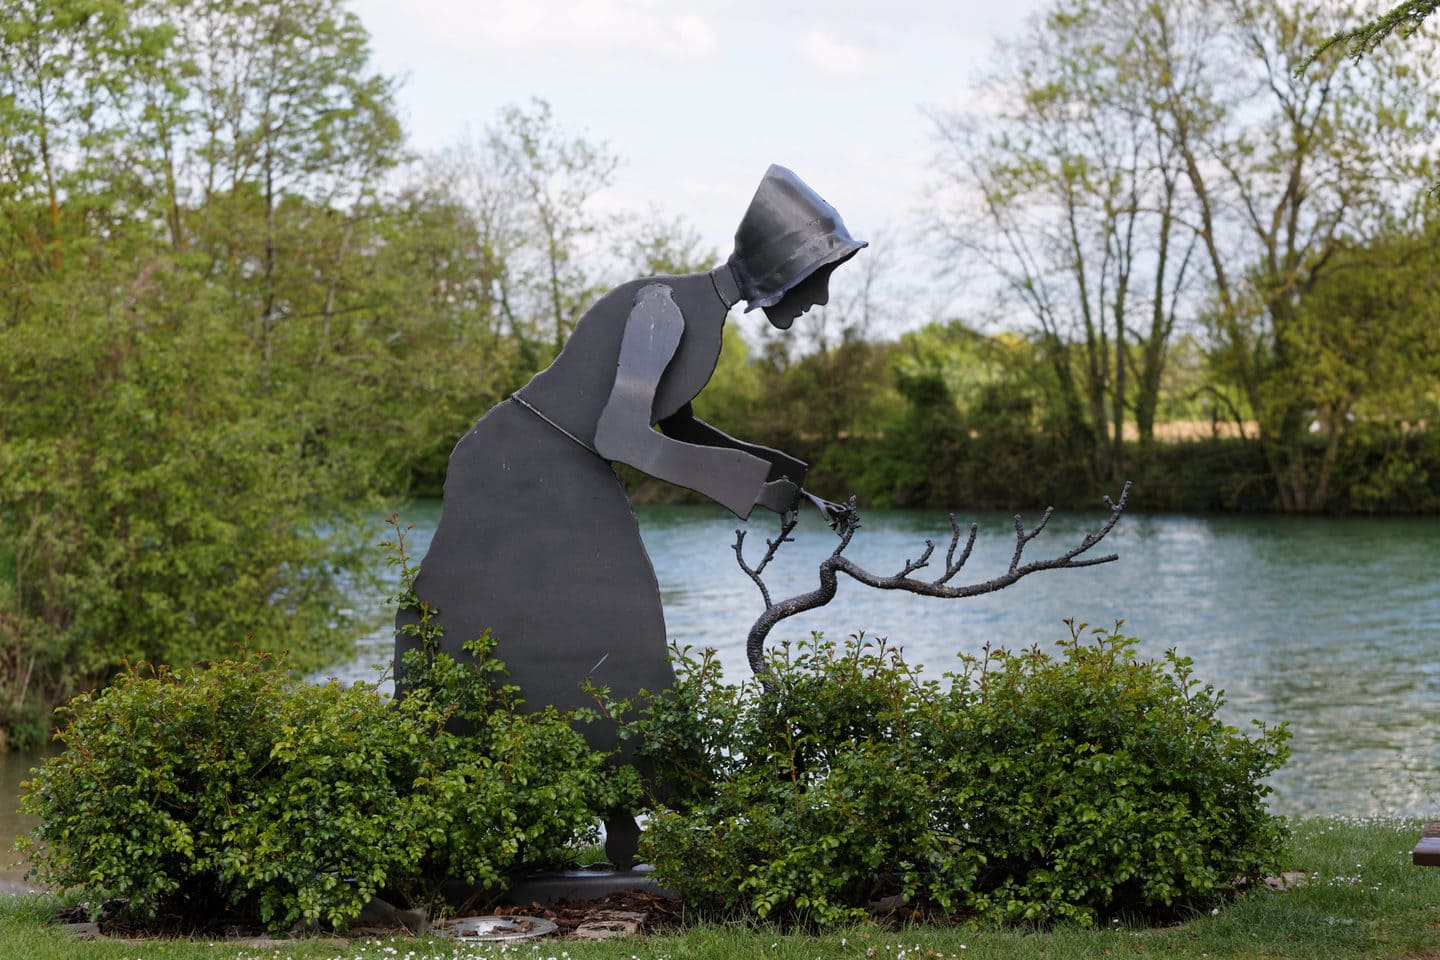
column 538, row 540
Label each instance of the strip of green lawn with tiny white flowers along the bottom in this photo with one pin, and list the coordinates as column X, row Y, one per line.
column 1363, row 899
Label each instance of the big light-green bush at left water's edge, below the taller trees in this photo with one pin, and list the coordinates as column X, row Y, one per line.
column 152, row 500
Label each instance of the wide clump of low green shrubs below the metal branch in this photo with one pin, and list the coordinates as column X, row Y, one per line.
column 1026, row 788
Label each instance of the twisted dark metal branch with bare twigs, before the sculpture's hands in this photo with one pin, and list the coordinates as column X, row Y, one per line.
column 837, row 563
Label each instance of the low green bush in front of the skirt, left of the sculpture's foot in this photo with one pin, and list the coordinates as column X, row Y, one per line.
column 237, row 792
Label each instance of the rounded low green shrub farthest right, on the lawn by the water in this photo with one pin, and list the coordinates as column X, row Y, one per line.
column 1098, row 784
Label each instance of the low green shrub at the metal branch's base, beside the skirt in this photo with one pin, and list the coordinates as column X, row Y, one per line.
column 796, row 807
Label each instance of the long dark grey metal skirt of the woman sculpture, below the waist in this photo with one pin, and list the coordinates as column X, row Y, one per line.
column 538, row 543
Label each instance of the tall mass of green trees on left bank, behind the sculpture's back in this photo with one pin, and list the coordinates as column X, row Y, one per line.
column 188, row 192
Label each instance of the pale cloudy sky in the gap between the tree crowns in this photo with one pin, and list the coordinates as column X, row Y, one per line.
column 698, row 97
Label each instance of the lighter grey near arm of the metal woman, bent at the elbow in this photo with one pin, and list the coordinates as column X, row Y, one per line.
column 731, row 477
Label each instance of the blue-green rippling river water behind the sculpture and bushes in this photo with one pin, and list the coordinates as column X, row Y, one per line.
column 1328, row 624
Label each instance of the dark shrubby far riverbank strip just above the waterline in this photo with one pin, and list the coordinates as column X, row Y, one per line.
column 1184, row 471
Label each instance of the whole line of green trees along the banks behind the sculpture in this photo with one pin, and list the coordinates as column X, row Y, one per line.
column 234, row 306
